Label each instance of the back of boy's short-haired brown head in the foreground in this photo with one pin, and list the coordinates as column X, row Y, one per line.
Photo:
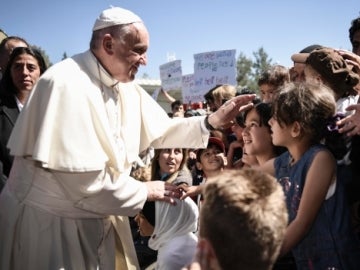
column 253, row 214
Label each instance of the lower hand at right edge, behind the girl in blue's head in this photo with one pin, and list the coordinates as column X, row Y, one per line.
column 350, row 124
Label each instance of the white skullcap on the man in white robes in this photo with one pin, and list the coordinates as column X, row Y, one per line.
column 115, row 16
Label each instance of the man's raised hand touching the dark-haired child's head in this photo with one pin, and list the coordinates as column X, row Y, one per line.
column 222, row 117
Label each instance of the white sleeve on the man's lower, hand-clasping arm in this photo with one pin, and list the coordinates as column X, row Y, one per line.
column 104, row 193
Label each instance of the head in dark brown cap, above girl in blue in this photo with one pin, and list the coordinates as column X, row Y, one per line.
column 329, row 67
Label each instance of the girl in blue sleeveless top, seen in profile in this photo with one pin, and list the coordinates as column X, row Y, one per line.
column 319, row 232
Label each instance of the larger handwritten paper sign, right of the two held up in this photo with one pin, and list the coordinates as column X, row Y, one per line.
column 214, row 68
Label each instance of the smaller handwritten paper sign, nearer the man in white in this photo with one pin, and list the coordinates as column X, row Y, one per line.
column 171, row 75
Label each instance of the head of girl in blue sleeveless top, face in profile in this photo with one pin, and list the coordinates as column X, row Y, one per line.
column 305, row 110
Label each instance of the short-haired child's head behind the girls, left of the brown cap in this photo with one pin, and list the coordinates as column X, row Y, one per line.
column 271, row 80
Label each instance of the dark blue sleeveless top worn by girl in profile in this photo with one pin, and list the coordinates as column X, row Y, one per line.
column 330, row 243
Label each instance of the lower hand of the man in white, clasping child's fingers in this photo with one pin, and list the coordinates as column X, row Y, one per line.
column 162, row 191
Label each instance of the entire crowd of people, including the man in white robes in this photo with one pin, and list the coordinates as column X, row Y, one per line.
column 96, row 175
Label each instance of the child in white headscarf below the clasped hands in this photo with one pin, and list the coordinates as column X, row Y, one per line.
column 171, row 229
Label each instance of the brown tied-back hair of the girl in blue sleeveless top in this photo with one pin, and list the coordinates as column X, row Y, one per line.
column 312, row 106
